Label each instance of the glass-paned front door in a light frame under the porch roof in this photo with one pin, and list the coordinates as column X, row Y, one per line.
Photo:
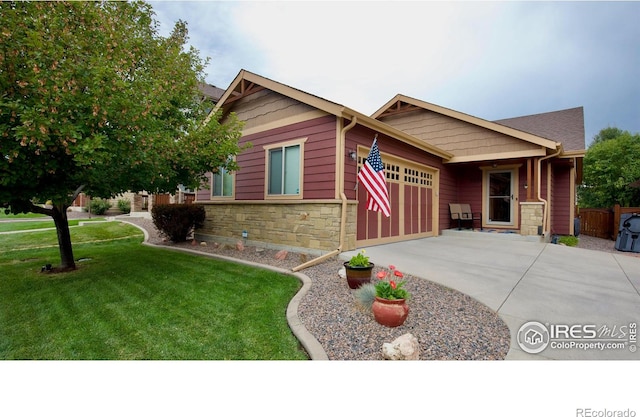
column 500, row 198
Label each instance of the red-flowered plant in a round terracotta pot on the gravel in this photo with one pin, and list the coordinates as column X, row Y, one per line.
column 387, row 298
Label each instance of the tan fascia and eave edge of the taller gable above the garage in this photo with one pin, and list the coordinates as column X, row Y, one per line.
column 247, row 83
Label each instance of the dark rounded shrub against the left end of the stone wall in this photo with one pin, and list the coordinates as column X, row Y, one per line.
column 177, row 221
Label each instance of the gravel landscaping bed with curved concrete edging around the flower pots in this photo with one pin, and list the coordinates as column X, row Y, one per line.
column 447, row 323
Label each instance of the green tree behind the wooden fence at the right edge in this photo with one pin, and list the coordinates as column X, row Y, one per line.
column 612, row 170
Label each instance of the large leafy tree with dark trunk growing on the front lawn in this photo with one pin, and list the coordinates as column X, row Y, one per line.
column 94, row 100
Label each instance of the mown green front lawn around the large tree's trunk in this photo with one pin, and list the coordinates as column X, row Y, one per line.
column 128, row 301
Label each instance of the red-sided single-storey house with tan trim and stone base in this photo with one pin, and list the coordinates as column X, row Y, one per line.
column 297, row 188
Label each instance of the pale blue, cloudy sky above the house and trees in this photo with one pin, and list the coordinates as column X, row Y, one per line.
column 492, row 60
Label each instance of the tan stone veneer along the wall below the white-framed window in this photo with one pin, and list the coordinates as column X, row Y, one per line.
column 310, row 225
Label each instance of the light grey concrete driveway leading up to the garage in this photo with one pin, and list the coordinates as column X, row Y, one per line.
column 585, row 303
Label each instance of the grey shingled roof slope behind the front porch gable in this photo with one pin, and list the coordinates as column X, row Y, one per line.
column 566, row 126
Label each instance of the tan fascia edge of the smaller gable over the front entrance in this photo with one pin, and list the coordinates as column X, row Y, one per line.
column 401, row 103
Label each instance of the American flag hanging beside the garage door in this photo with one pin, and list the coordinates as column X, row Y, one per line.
column 372, row 176
